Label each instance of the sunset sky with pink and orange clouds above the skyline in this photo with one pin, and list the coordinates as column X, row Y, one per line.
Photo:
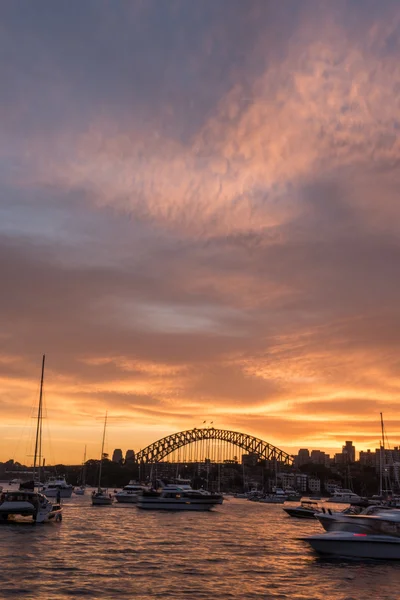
column 199, row 220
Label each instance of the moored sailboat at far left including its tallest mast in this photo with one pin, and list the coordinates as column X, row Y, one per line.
column 26, row 502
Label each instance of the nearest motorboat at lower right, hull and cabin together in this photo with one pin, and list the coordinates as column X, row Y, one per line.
column 374, row 537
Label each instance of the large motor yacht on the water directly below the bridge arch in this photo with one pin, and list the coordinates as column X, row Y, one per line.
column 174, row 497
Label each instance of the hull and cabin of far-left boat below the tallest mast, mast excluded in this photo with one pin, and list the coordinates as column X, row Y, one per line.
column 28, row 504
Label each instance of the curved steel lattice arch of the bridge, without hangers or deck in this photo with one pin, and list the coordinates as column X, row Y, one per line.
column 161, row 448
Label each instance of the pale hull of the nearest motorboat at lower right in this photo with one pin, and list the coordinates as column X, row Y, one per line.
column 356, row 546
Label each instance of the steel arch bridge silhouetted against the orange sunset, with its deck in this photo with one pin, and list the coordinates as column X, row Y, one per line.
column 213, row 445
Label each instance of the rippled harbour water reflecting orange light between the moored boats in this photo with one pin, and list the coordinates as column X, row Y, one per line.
column 240, row 550
